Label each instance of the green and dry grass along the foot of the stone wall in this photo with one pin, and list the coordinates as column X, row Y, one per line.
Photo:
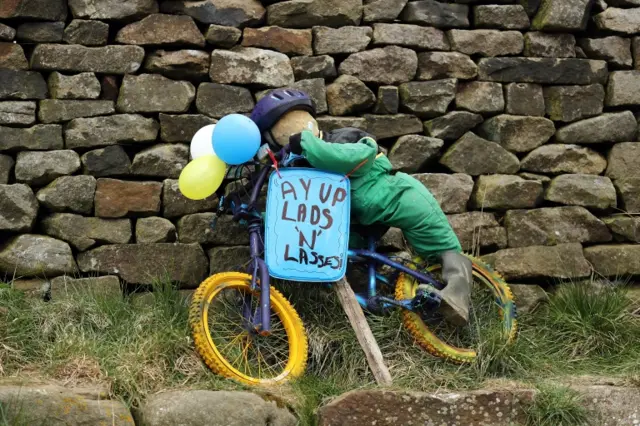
column 137, row 348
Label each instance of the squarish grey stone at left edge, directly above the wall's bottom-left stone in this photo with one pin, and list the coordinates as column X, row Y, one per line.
column 18, row 208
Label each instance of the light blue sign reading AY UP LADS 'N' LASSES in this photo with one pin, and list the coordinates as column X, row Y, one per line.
column 307, row 225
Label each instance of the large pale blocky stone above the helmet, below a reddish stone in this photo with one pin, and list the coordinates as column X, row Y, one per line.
column 249, row 65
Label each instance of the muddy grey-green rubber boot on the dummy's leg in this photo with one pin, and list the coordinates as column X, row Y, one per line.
column 456, row 296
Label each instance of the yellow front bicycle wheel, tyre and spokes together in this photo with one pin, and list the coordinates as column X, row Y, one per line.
column 233, row 348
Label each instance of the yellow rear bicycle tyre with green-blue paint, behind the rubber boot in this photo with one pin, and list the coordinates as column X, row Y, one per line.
column 406, row 289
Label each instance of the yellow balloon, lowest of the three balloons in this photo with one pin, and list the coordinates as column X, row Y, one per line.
column 202, row 177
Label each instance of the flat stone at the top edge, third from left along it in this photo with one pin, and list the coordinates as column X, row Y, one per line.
column 235, row 13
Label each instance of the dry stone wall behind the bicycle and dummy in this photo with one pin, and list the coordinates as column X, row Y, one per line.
column 520, row 116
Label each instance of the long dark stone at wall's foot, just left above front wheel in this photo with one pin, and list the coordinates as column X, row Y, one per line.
column 145, row 263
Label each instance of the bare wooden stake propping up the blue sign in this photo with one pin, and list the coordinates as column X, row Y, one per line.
column 363, row 332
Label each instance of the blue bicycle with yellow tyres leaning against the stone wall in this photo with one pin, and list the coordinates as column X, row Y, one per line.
column 239, row 351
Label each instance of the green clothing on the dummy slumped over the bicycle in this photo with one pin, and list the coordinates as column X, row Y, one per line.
column 379, row 196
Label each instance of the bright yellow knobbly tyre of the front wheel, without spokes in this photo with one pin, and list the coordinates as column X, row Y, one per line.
column 212, row 357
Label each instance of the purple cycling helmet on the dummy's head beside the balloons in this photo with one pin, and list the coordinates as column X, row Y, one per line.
column 273, row 106
